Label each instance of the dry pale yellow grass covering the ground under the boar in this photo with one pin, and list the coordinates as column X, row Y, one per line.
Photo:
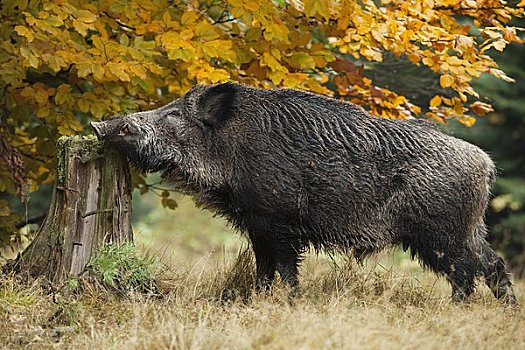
column 209, row 305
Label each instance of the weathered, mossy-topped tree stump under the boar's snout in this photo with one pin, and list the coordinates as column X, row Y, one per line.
column 90, row 207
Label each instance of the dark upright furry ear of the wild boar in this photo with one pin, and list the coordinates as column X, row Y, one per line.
column 215, row 106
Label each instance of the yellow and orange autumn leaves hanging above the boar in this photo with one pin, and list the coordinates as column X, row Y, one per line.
column 66, row 62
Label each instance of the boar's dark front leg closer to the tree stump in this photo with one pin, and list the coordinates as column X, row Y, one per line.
column 265, row 262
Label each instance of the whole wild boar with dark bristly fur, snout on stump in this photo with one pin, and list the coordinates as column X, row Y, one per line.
column 294, row 169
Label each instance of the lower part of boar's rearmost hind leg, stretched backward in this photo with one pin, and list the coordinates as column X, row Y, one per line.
column 496, row 276
